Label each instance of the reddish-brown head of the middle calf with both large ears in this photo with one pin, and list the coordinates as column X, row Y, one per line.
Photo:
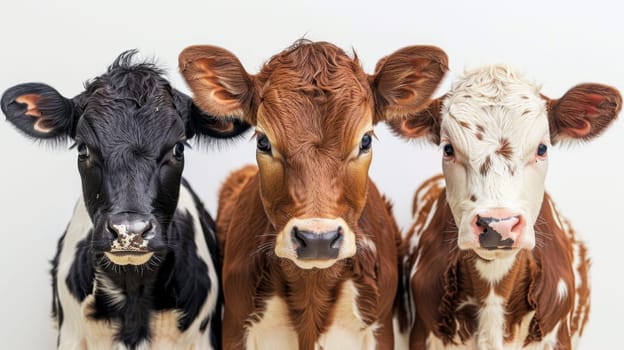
column 314, row 109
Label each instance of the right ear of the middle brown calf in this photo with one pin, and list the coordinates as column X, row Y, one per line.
column 405, row 80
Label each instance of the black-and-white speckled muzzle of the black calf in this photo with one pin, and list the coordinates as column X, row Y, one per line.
column 131, row 235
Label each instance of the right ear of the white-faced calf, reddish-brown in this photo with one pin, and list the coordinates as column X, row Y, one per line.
column 584, row 112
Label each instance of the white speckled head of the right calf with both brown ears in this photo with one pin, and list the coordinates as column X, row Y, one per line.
column 495, row 130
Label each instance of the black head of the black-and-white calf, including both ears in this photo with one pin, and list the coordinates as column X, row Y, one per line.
column 130, row 128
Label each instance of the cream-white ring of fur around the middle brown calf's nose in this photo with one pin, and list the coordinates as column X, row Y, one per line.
column 285, row 248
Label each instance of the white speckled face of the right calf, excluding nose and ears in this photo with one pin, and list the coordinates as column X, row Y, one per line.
column 495, row 121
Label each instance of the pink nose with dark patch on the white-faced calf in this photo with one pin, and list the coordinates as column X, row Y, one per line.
column 498, row 228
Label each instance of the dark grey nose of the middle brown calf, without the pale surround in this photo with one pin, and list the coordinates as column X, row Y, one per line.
column 316, row 246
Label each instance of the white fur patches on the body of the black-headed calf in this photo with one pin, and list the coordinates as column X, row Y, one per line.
column 80, row 332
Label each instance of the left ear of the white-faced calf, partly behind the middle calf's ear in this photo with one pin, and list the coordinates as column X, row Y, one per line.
column 425, row 123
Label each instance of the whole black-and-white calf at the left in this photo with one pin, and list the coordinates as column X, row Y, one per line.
column 137, row 267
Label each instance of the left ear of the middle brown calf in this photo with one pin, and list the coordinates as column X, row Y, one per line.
column 220, row 84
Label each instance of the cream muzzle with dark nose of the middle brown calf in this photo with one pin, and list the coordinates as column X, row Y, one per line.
column 315, row 242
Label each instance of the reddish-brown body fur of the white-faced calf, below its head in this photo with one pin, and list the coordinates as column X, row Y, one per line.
column 531, row 285
